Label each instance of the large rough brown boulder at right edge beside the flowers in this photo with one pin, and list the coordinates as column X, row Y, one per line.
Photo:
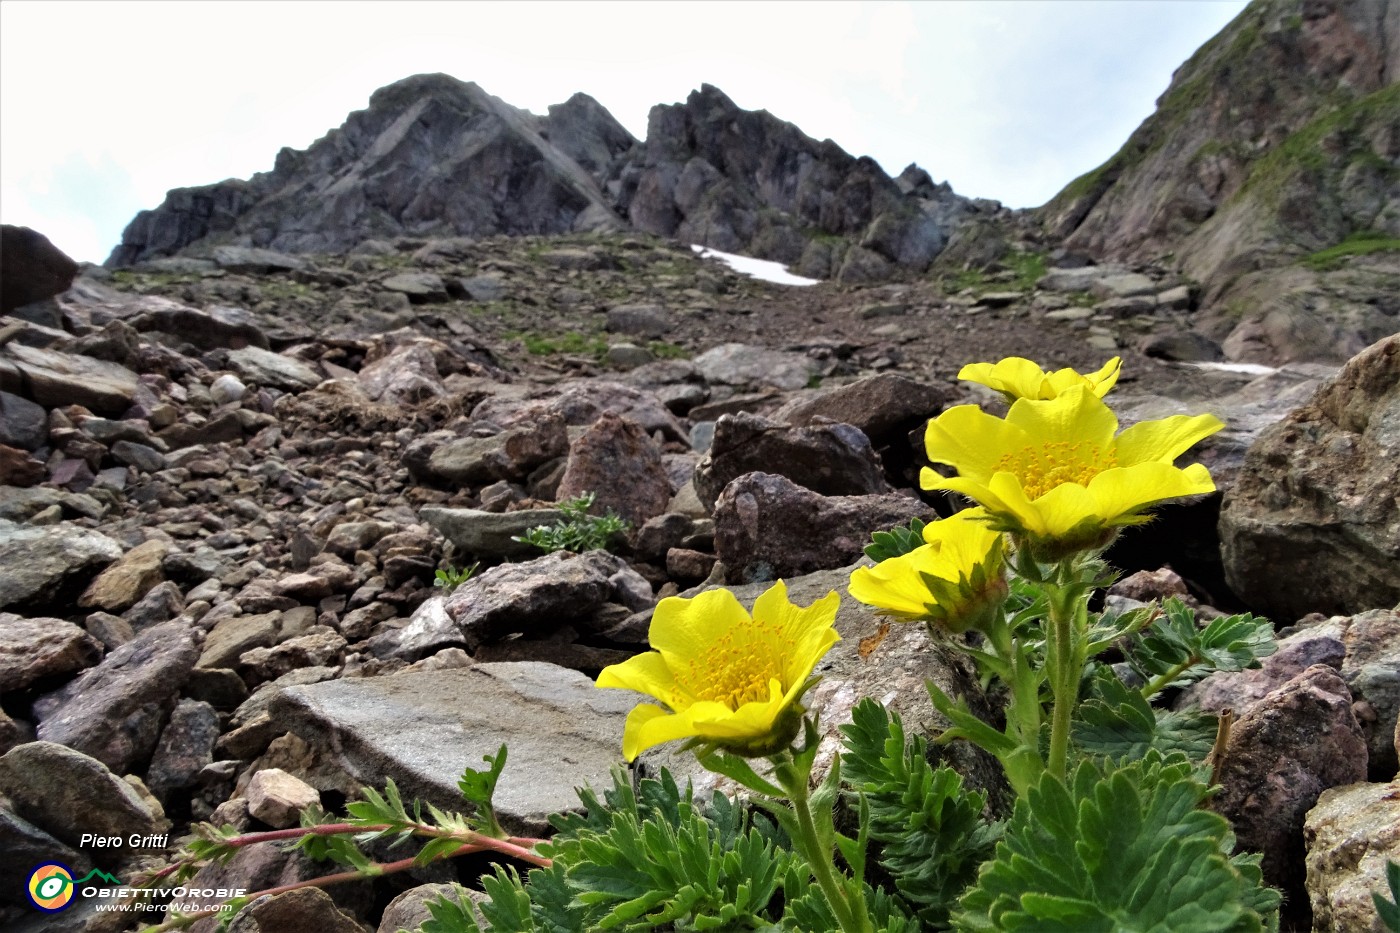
column 1312, row 525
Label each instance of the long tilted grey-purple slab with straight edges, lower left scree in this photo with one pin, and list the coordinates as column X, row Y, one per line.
column 115, row 711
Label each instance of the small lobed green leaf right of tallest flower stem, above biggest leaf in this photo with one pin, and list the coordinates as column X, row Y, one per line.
column 1116, row 722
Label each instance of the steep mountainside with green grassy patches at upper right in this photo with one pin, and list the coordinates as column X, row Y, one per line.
column 1276, row 141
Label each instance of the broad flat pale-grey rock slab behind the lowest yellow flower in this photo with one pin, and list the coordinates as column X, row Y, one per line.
column 423, row 728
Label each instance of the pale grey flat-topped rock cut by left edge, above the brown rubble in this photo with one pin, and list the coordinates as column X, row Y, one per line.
column 36, row 561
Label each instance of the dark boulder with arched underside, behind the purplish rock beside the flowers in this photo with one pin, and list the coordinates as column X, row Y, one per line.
column 834, row 460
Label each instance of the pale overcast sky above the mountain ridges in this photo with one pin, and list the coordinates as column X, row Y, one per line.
column 104, row 107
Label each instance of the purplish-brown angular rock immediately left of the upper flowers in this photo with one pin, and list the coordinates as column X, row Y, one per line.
column 768, row 527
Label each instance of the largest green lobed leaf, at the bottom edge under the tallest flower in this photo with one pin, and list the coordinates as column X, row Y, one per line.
column 1119, row 848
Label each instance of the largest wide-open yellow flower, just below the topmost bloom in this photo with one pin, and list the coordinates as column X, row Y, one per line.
column 1056, row 474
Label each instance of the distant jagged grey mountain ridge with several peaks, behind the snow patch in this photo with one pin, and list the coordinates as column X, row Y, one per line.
column 433, row 156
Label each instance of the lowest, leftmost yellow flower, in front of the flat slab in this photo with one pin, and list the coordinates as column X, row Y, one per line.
column 724, row 677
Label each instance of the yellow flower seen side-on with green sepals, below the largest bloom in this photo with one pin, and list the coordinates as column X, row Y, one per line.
column 954, row 581
